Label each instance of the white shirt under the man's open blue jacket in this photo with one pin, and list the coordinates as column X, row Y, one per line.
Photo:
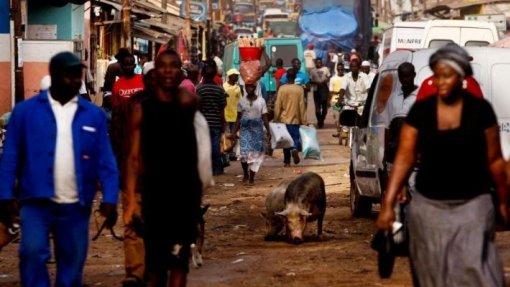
column 64, row 176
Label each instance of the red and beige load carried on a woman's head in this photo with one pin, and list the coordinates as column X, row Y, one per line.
column 249, row 52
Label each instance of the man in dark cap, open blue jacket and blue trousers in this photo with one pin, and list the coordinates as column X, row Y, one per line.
column 57, row 149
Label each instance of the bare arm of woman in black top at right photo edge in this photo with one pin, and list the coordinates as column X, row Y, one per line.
column 497, row 168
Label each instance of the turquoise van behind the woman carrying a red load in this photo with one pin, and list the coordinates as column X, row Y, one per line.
column 284, row 48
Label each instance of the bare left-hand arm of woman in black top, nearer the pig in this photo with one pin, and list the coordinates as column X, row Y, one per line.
column 403, row 164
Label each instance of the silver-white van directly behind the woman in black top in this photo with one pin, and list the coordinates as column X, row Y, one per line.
column 490, row 67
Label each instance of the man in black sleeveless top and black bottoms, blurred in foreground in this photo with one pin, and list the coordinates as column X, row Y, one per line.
column 171, row 186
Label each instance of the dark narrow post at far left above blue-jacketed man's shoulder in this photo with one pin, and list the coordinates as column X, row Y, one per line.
column 19, row 87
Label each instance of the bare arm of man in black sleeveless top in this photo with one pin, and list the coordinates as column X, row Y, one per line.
column 133, row 161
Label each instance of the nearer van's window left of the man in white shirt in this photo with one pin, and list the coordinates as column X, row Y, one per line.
column 388, row 83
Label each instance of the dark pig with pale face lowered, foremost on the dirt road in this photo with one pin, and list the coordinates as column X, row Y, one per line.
column 305, row 201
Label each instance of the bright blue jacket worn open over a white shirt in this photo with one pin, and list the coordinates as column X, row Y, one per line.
column 29, row 152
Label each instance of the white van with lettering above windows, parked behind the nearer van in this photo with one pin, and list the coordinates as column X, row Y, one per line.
column 435, row 34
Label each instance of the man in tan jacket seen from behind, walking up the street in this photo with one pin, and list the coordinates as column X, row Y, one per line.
column 290, row 110
